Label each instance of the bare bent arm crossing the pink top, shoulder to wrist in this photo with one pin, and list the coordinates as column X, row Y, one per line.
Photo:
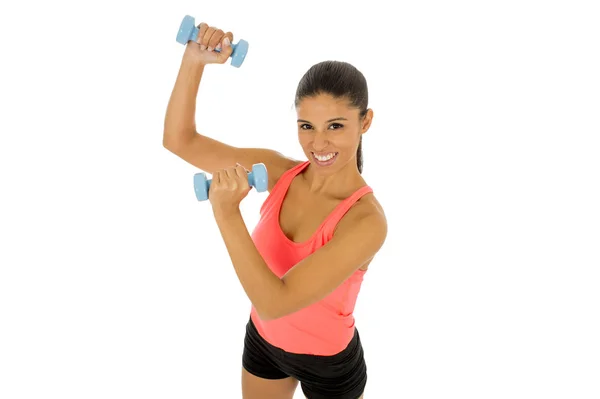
column 360, row 235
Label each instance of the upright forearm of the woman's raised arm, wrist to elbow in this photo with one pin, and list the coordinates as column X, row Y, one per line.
column 180, row 118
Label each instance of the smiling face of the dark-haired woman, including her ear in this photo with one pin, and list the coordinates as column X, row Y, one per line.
column 329, row 131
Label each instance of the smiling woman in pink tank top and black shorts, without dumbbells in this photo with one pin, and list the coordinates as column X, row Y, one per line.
column 320, row 227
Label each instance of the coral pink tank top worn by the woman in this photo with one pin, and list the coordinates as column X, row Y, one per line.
column 327, row 326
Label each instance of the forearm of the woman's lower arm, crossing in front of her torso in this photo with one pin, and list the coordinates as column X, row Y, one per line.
column 261, row 285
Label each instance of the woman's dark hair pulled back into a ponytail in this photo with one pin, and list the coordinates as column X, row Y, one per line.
column 341, row 80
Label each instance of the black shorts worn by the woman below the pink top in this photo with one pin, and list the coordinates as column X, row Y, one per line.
column 340, row 376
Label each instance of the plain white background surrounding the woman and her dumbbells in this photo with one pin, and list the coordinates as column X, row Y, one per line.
column 115, row 283
